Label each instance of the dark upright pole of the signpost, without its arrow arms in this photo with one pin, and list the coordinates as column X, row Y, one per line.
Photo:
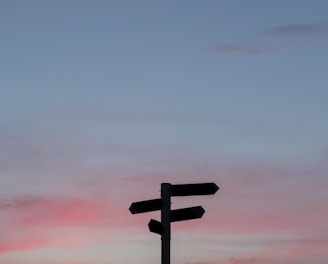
column 166, row 222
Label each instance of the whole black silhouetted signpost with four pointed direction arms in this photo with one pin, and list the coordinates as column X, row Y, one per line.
column 168, row 190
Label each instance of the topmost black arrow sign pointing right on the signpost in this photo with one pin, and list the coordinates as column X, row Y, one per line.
column 194, row 189
